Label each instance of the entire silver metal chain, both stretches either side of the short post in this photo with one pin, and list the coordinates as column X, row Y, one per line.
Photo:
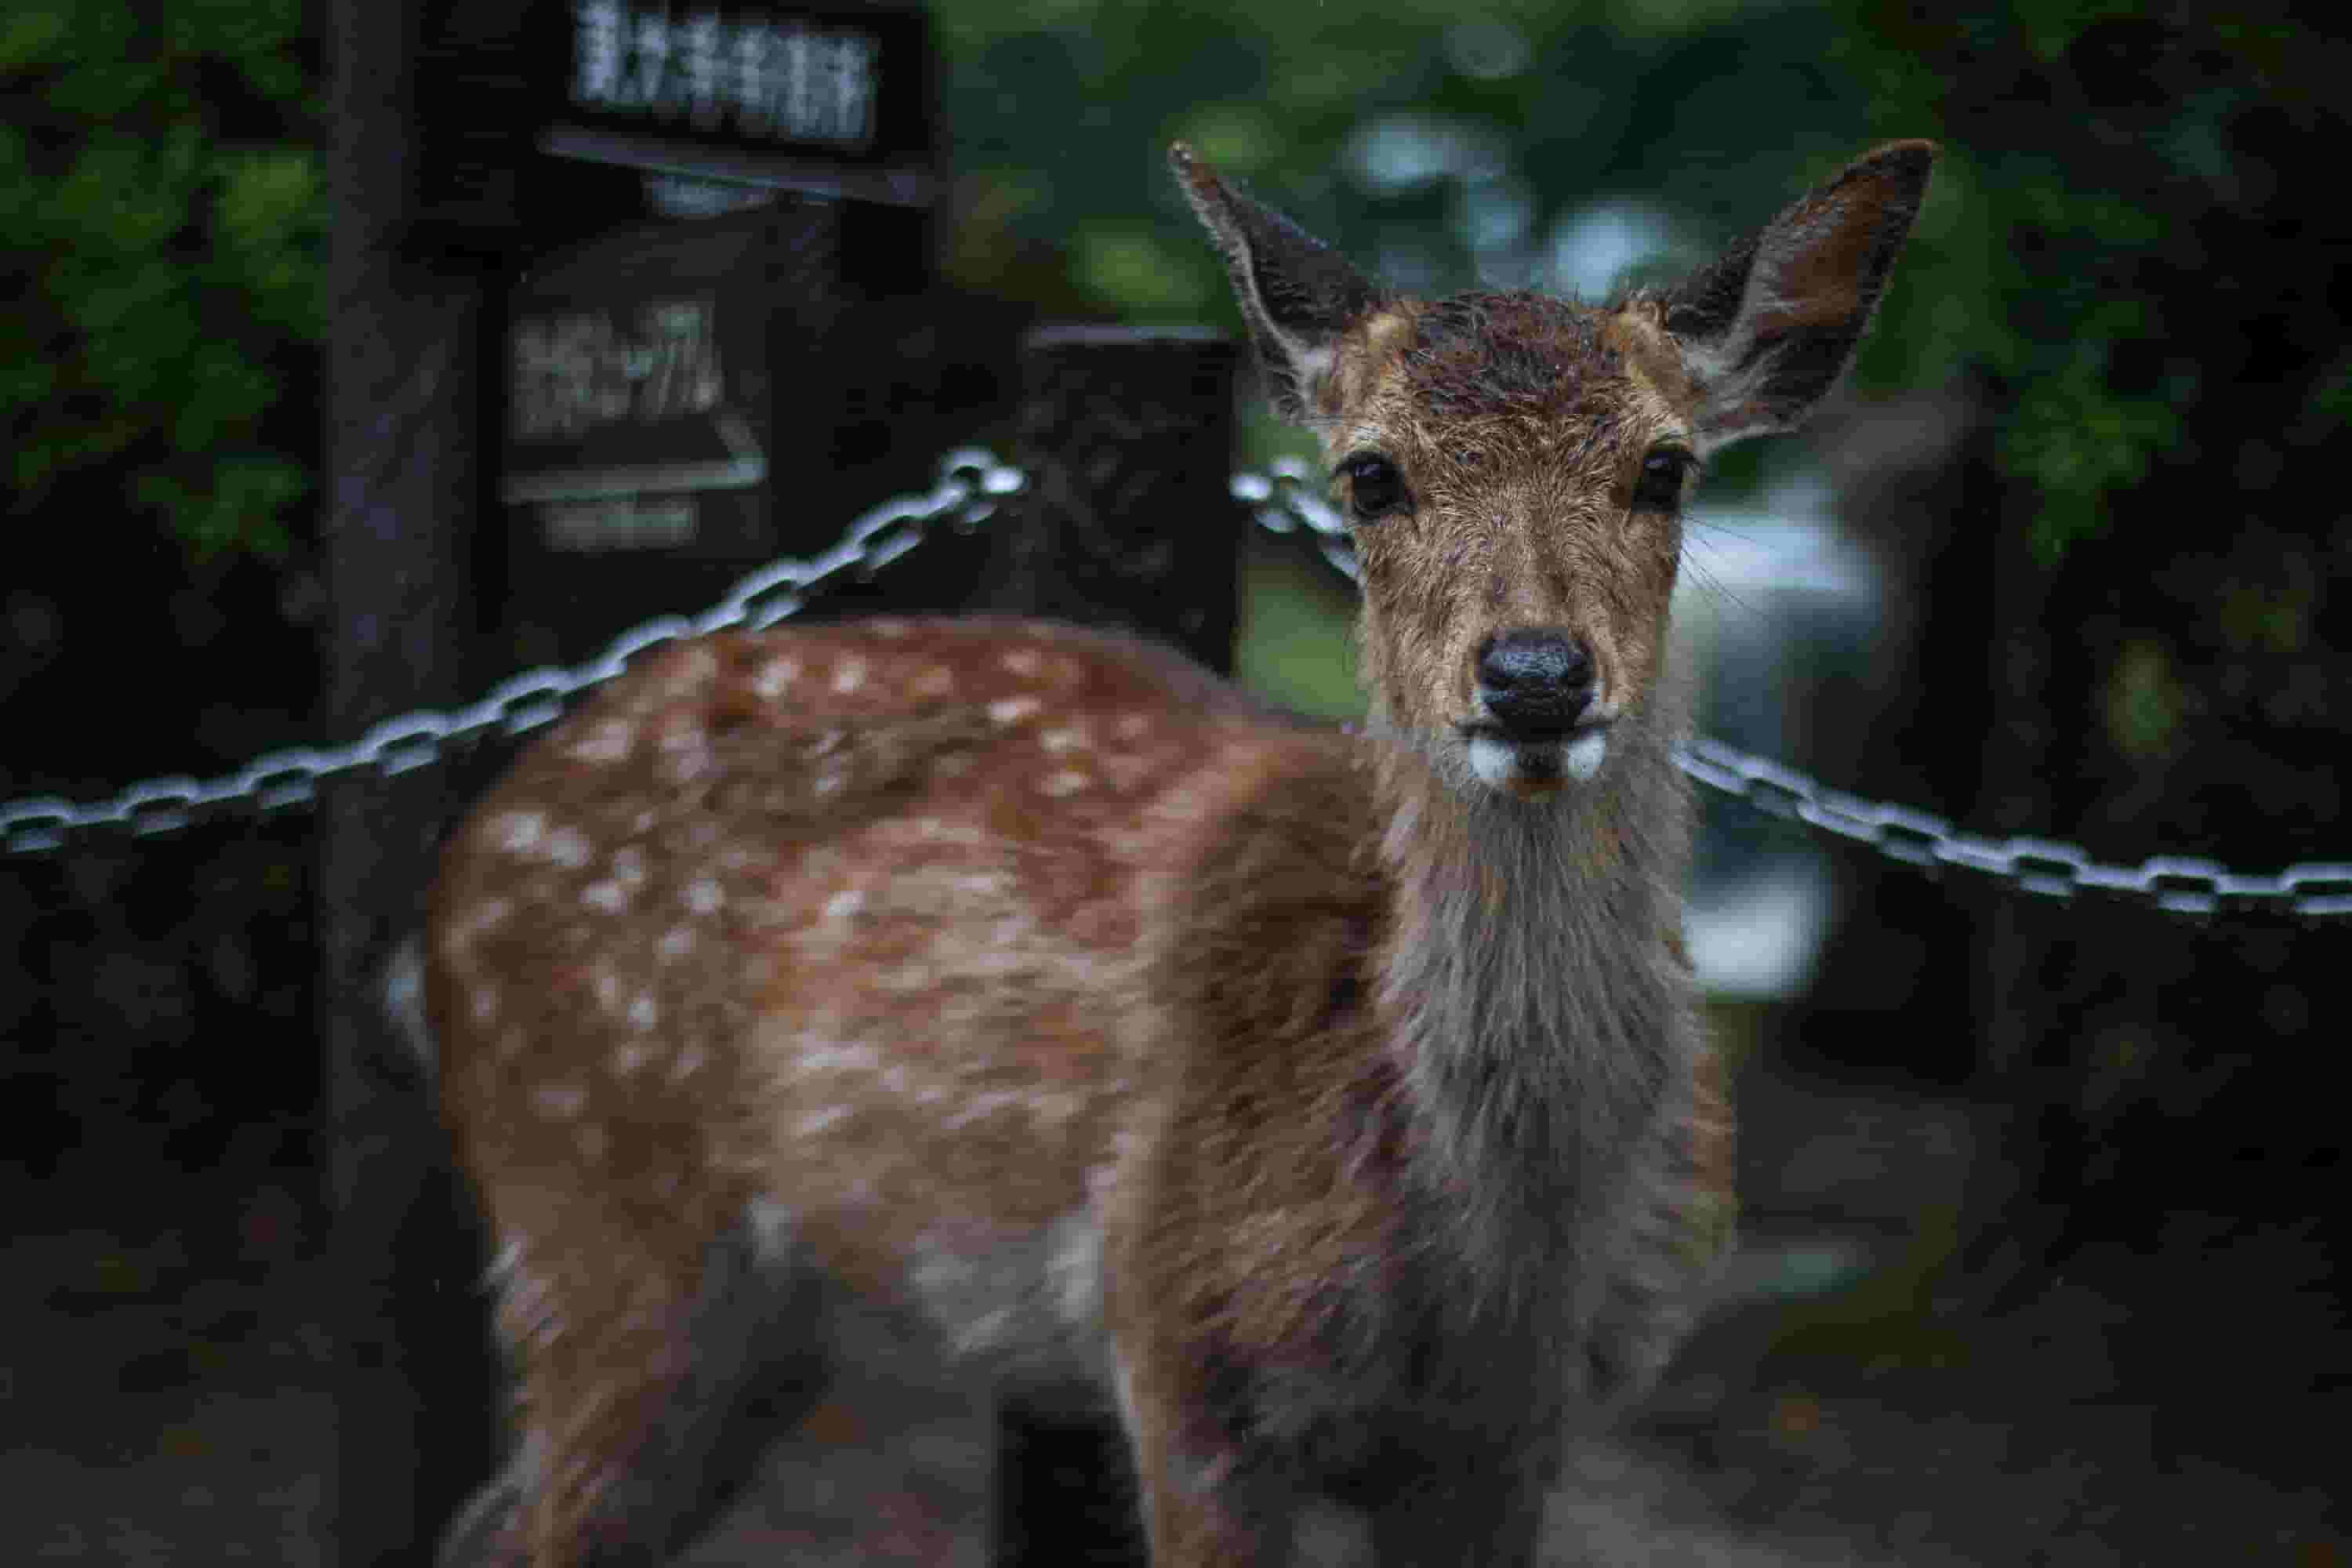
column 1285, row 500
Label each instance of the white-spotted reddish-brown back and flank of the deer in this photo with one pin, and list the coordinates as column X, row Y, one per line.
column 846, row 925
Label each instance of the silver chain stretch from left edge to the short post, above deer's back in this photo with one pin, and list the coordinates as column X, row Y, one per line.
column 968, row 490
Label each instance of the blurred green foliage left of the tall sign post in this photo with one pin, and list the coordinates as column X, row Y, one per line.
column 163, row 222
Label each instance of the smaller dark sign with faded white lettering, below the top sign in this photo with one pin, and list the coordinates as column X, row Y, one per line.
column 641, row 415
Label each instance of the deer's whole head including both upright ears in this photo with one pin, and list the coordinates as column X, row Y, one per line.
column 1514, row 467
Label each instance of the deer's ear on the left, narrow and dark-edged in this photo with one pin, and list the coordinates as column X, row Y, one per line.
column 1297, row 293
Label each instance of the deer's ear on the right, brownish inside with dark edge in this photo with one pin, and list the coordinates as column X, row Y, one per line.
column 1772, row 326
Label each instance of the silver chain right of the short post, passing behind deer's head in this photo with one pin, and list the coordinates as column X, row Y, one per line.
column 1292, row 497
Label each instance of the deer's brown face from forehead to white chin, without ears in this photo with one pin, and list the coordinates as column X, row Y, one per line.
column 1514, row 469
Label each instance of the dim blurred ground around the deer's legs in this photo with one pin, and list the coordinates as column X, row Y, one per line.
column 166, row 1402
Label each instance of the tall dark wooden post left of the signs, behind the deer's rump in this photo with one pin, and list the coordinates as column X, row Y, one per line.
column 403, row 495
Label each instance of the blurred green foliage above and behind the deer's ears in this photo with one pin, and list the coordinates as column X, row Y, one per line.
column 2092, row 152
